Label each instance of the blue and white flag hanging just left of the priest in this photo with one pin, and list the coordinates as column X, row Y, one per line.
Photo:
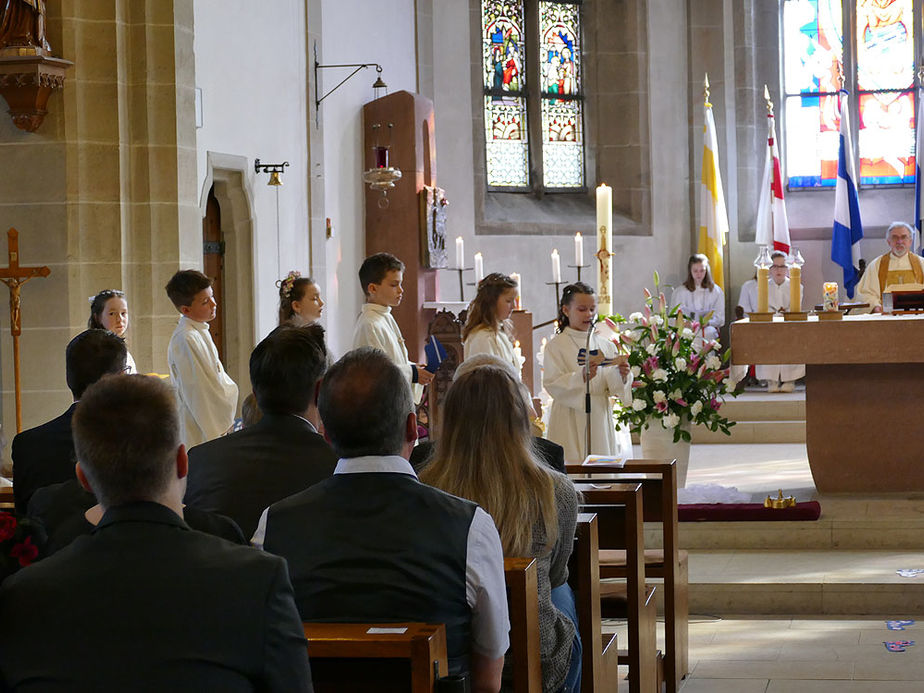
column 848, row 229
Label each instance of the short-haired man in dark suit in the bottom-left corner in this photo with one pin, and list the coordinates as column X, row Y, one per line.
column 145, row 603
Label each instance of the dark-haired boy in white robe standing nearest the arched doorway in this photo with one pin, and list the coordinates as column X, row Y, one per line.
column 206, row 396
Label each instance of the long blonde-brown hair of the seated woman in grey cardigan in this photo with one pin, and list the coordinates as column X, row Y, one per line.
column 485, row 454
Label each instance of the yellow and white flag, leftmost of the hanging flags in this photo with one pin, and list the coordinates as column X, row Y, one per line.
column 713, row 217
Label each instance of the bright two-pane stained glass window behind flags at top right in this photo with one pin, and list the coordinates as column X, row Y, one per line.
column 881, row 75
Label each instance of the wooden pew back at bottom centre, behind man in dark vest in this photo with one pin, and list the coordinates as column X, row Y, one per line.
column 346, row 657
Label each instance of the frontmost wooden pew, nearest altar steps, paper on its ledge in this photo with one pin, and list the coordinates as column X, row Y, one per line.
column 669, row 563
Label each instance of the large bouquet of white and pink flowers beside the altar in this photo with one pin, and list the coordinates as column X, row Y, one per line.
column 679, row 376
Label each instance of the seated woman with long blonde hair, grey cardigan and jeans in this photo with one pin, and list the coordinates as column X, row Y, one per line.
column 485, row 454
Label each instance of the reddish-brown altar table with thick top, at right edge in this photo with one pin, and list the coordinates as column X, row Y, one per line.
column 864, row 386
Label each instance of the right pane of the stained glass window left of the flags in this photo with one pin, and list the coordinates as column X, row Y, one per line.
column 560, row 83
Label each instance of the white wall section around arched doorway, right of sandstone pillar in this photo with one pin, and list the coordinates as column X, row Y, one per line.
column 250, row 65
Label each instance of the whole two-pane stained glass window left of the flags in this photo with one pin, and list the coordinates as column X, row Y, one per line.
column 554, row 111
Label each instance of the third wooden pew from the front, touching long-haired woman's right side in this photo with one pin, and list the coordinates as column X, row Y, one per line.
column 600, row 658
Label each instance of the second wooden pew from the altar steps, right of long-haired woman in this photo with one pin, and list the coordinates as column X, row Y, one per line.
column 619, row 511
